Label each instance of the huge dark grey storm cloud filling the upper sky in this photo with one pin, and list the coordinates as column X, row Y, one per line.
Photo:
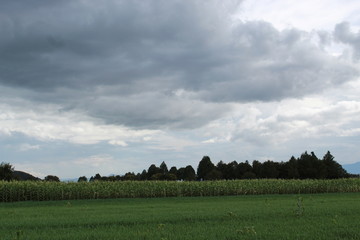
column 127, row 61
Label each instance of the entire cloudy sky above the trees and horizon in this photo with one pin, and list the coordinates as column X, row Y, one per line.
column 114, row 86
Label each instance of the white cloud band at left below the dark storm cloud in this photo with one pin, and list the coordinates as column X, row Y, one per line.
column 48, row 123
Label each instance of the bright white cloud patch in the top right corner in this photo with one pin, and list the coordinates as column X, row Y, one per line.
column 306, row 15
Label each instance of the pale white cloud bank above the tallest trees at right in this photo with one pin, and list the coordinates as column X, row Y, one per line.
column 272, row 124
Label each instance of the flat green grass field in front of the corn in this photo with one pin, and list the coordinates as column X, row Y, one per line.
column 317, row 216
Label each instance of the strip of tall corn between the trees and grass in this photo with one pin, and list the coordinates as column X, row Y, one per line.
column 45, row 191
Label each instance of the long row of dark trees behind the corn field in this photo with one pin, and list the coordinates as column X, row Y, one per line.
column 307, row 166
